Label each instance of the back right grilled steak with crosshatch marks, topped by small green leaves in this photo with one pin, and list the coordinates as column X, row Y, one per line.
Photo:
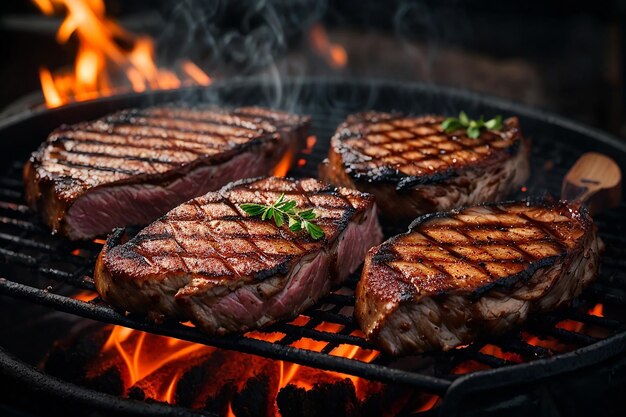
column 414, row 168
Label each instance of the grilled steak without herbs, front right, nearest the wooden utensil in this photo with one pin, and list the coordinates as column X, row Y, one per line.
column 478, row 271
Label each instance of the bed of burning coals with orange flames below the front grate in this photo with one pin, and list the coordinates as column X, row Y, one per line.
column 149, row 367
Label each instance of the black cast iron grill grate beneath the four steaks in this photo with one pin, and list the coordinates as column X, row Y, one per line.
column 51, row 271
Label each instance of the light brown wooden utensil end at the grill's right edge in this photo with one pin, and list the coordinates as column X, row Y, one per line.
column 595, row 180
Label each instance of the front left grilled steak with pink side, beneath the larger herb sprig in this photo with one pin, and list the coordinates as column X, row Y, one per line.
column 208, row 262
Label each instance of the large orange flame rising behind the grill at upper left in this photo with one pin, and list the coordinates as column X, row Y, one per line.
column 102, row 66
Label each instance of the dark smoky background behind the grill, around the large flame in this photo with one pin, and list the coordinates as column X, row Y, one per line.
column 567, row 57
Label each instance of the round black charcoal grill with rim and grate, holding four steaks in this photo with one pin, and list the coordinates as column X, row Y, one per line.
column 44, row 269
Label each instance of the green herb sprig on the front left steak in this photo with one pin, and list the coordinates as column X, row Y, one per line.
column 283, row 209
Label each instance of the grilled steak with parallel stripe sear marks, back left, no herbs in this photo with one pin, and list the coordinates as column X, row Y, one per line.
column 135, row 165
